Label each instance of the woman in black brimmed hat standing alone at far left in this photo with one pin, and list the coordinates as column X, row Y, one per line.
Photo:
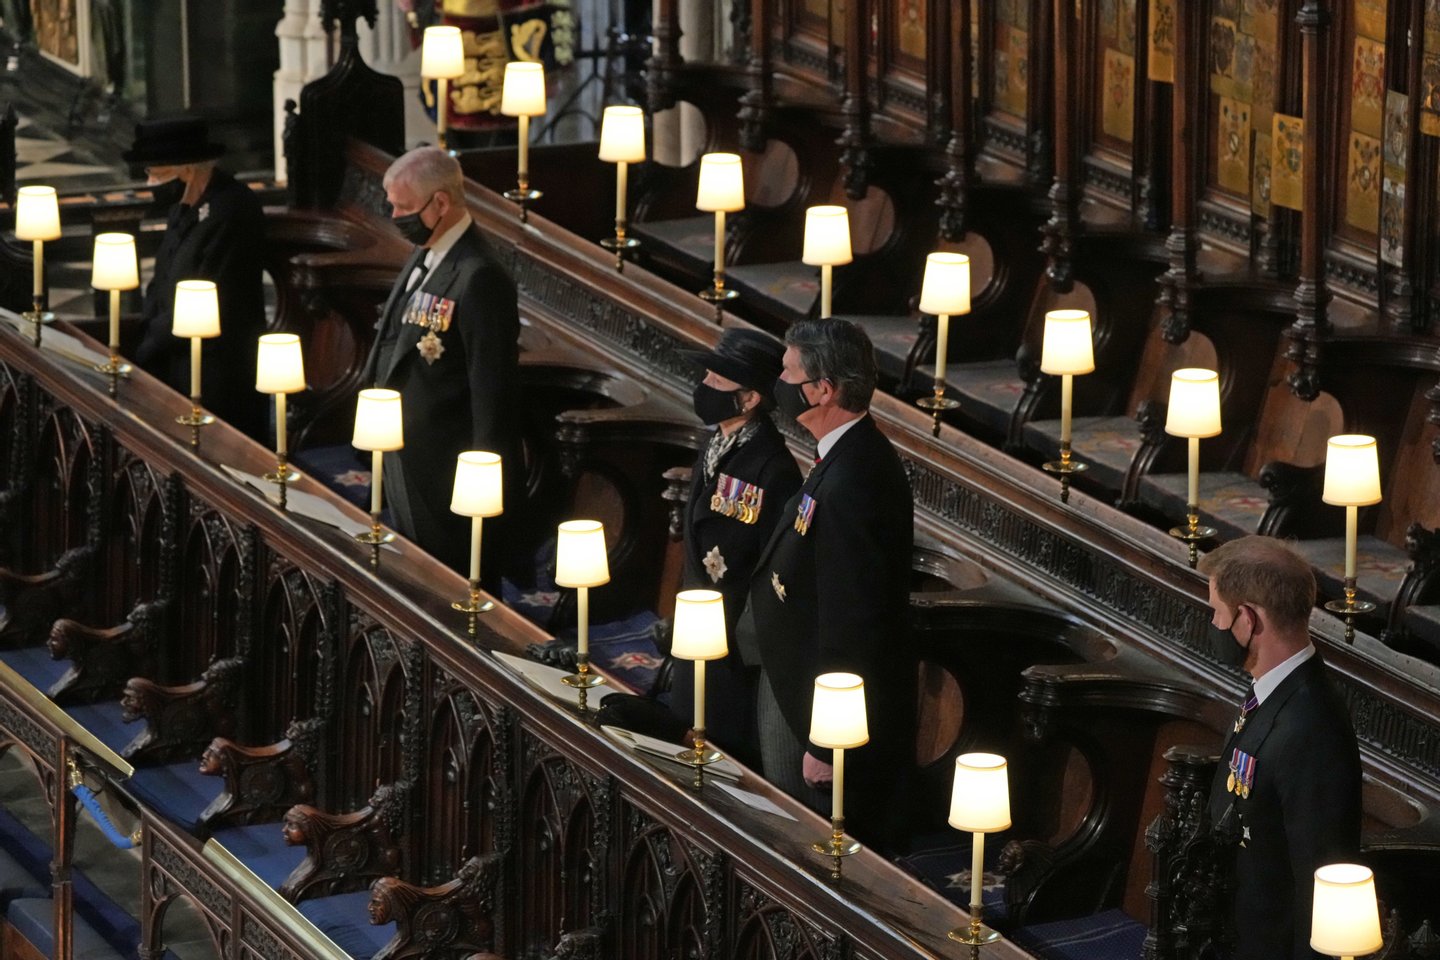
column 215, row 232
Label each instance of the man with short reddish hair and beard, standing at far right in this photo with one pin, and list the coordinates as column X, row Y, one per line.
column 1290, row 778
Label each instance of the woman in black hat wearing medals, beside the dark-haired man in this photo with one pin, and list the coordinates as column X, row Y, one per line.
column 739, row 487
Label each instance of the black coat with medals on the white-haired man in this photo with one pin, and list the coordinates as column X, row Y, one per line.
column 464, row 401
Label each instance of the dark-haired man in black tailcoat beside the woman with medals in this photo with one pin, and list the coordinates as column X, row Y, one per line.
column 832, row 588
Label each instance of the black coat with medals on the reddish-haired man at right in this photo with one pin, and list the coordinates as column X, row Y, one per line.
column 1304, row 811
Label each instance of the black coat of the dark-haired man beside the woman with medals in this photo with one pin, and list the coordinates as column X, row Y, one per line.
column 846, row 608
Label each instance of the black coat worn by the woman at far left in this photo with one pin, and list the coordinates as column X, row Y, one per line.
column 220, row 240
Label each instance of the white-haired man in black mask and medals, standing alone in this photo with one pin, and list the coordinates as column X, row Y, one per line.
column 449, row 342
